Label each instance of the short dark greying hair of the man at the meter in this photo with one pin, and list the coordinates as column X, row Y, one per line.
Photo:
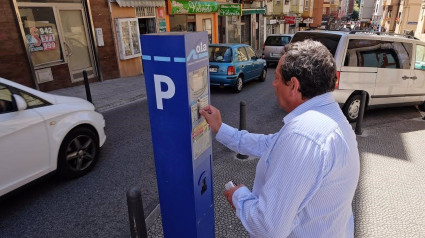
column 312, row 64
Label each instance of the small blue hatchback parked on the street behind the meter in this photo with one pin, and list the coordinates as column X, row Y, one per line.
column 232, row 65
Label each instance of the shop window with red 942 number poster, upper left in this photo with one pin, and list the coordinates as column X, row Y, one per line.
column 41, row 35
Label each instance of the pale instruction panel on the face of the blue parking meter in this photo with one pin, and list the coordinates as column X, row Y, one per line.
column 198, row 89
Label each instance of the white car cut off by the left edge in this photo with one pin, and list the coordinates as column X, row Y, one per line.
column 41, row 133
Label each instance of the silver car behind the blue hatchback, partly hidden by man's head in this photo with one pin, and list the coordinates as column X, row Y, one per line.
column 273, row 47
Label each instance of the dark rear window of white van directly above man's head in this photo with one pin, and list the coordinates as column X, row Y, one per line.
column 331, row 41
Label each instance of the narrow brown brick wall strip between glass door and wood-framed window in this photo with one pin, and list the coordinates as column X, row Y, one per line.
column 107, row 54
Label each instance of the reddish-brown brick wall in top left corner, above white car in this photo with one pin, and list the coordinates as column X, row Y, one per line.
column 14, row 63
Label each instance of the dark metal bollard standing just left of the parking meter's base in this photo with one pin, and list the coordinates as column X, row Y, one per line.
column 136, row 213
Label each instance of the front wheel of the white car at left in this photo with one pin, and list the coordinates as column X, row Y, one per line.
column 78, row 153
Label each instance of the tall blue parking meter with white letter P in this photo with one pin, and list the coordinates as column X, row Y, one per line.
column 177, row 85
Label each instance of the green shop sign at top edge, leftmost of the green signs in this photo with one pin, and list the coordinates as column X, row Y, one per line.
column 190, row 7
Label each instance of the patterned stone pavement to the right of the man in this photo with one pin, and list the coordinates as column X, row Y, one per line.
column 390, row 197
